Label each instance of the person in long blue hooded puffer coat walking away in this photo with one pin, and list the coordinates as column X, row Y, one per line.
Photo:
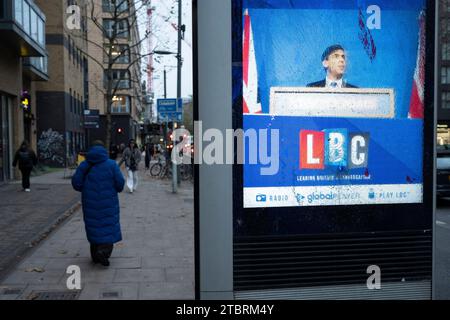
column 99, row 179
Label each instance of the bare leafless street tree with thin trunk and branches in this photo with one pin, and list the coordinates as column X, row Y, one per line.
column 119, row 23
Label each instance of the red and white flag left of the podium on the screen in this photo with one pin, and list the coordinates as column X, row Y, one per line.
column 249, row 72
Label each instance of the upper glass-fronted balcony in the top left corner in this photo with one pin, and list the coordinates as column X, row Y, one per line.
column 22, row 26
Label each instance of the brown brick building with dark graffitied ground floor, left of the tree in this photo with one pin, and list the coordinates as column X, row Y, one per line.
column 61, row 100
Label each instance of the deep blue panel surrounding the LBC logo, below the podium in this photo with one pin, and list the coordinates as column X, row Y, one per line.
column 394, row 157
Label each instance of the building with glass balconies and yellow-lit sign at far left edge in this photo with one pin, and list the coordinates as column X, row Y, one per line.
column 23, row 65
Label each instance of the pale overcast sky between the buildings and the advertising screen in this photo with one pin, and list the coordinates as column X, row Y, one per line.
column 165, row 21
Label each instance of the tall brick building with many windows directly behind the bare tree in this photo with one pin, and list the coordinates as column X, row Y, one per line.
column 114, row 51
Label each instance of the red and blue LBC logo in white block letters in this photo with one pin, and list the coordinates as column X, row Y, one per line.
column 333, row 147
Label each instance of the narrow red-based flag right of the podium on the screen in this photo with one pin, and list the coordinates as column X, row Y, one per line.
column 416, row 106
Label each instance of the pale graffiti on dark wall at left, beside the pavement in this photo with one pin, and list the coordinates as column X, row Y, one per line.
column 51, row 147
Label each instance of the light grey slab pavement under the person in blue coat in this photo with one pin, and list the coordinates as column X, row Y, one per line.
column 155, row 260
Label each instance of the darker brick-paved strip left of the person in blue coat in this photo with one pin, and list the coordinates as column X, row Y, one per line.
column 26, row 218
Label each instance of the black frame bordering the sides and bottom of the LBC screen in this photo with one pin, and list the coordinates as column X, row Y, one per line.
column 354, row 219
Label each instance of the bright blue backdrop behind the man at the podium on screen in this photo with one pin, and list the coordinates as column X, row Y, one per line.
column 289, row 44
